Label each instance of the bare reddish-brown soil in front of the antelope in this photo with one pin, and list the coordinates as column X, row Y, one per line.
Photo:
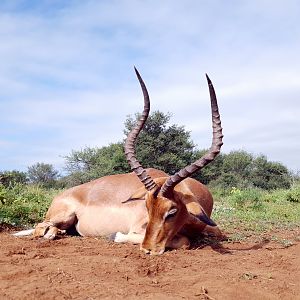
column 94, row 268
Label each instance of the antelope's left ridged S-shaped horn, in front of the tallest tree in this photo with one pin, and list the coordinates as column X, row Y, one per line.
column 132, row 136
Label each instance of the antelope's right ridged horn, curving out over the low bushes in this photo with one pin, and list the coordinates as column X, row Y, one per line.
column 214, row 150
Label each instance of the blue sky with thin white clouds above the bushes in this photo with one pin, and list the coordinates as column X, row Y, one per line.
column 67, row 78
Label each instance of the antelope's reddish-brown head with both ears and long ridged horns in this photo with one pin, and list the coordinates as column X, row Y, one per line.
column 166, row 203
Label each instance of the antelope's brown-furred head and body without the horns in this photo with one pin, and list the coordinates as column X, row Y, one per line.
column 95, row 208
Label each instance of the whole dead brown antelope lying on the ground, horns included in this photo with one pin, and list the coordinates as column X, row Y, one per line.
column 147, row 207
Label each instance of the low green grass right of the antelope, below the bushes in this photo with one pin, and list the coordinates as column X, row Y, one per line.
column 256, row 210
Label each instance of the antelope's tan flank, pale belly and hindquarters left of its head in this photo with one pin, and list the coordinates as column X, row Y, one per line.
column 85, row 205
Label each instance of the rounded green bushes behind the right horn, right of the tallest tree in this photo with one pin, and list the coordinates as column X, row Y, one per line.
column 244, row 170
